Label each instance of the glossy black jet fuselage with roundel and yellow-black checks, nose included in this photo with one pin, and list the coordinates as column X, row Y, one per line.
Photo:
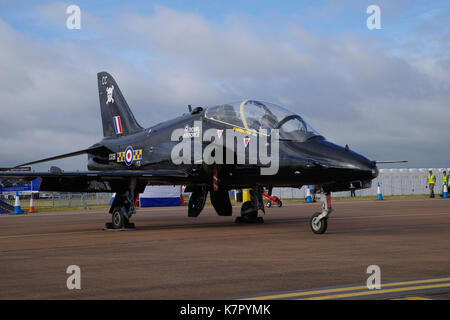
column 314, row 161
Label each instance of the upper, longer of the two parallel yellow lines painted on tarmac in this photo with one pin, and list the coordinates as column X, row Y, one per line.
column 343, row 289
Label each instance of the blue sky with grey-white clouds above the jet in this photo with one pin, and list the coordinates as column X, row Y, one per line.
column 384, row 92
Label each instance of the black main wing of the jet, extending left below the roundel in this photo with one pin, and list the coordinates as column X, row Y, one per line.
column 98, row 181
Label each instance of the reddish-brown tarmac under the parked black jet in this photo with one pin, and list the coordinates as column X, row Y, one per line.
column 171, row 256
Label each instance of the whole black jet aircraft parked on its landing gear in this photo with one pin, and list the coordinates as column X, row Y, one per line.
column 251, row 144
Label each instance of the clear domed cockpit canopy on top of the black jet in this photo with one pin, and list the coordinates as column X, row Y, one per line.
column 255, row 115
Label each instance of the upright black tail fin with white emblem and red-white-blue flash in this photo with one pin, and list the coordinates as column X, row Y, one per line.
column 117, row 118
